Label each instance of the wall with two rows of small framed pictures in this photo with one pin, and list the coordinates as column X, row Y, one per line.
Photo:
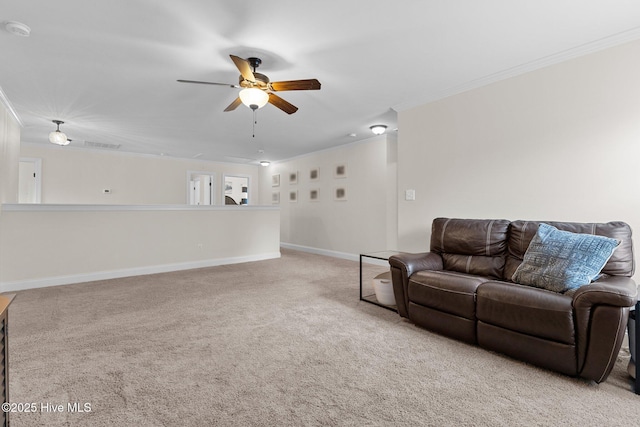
column 363, row 222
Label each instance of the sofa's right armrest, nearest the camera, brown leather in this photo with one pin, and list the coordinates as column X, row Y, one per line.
column 601, row 311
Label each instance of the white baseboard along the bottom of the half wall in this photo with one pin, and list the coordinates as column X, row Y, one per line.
column 21, row 285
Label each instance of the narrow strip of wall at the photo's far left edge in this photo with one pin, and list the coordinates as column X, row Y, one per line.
column 9, row 154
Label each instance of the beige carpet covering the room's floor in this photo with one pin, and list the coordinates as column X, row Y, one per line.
column 274, row 343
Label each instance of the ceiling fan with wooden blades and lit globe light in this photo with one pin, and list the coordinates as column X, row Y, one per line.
column 257, row 90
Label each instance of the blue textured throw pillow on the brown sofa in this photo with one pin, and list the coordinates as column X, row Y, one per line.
column 558, row 260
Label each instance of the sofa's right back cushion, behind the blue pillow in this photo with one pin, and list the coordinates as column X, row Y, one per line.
column 621, row 262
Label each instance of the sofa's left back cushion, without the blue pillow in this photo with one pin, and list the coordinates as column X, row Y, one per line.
column 473, row 246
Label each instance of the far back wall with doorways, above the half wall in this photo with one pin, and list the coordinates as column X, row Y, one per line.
column 78, row 176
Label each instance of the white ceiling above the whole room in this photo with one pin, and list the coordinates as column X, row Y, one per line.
column 109, row 68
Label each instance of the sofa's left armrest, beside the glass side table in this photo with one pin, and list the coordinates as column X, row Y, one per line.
column 402, row 267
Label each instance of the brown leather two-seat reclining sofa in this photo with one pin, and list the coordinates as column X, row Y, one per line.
column 462, row 288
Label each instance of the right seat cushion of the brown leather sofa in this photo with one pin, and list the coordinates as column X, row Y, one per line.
column 526, row 310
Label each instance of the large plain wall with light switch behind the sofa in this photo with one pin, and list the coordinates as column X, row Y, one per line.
column 559, row 143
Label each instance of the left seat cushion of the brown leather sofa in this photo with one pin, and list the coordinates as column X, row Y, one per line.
column 446, row 291
